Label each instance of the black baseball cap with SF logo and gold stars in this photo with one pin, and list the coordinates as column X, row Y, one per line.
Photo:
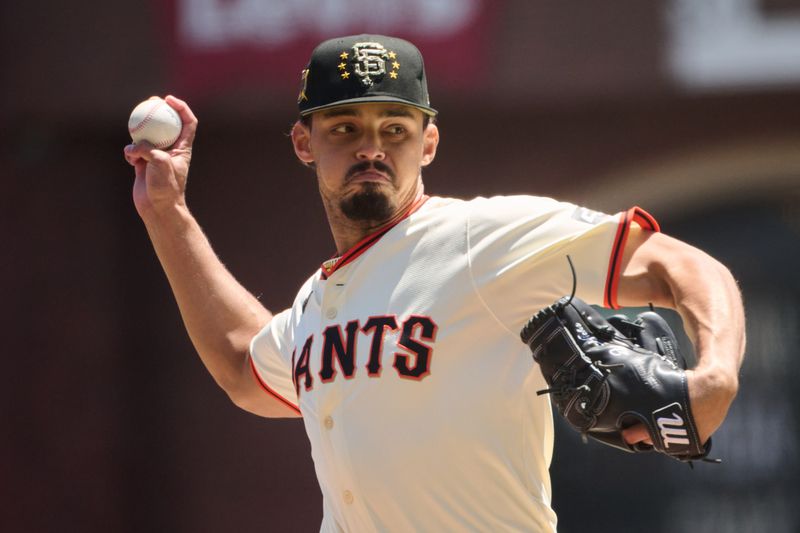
column 364, row 68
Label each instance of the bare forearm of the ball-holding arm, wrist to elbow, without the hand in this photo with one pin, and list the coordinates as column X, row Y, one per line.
column 220, row 315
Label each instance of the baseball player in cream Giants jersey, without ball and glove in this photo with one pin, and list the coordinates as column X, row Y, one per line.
column 402, row 353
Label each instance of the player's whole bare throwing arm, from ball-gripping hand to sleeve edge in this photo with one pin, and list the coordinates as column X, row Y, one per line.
column 220, row 315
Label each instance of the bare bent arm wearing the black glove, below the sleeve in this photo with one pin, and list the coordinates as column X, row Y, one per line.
column 669, row 273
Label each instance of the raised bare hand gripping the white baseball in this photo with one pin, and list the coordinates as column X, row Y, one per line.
column 161, row 175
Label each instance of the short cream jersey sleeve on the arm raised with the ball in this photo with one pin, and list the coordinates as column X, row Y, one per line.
column 270, row 363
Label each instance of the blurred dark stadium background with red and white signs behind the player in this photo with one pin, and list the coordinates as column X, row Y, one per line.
column 109, row 422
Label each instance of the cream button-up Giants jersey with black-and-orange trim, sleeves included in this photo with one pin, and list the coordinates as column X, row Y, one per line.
column 404, row 358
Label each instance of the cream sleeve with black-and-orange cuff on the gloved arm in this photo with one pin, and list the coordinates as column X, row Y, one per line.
column 518, row 248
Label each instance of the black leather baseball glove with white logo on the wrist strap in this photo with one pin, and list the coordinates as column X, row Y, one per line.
column 608, row 374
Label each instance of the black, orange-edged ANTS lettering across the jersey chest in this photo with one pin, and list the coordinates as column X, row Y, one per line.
column 337, row 350
